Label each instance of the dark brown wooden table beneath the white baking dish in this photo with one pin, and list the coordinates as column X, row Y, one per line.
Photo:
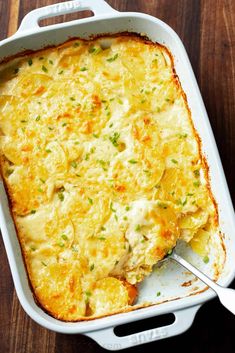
column 207, row 28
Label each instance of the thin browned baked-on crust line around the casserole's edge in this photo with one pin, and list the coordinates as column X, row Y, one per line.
column 144, row 39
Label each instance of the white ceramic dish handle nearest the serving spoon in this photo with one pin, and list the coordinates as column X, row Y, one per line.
column 107, row 339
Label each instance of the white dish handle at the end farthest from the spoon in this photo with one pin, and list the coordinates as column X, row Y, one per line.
column 31, row 20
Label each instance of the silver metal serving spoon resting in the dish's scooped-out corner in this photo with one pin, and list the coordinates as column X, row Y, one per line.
column 226, row 295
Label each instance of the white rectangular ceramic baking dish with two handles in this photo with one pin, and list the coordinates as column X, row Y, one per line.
column 177, row 299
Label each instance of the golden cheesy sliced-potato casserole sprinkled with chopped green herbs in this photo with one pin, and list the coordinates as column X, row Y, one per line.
column 103, row 169
